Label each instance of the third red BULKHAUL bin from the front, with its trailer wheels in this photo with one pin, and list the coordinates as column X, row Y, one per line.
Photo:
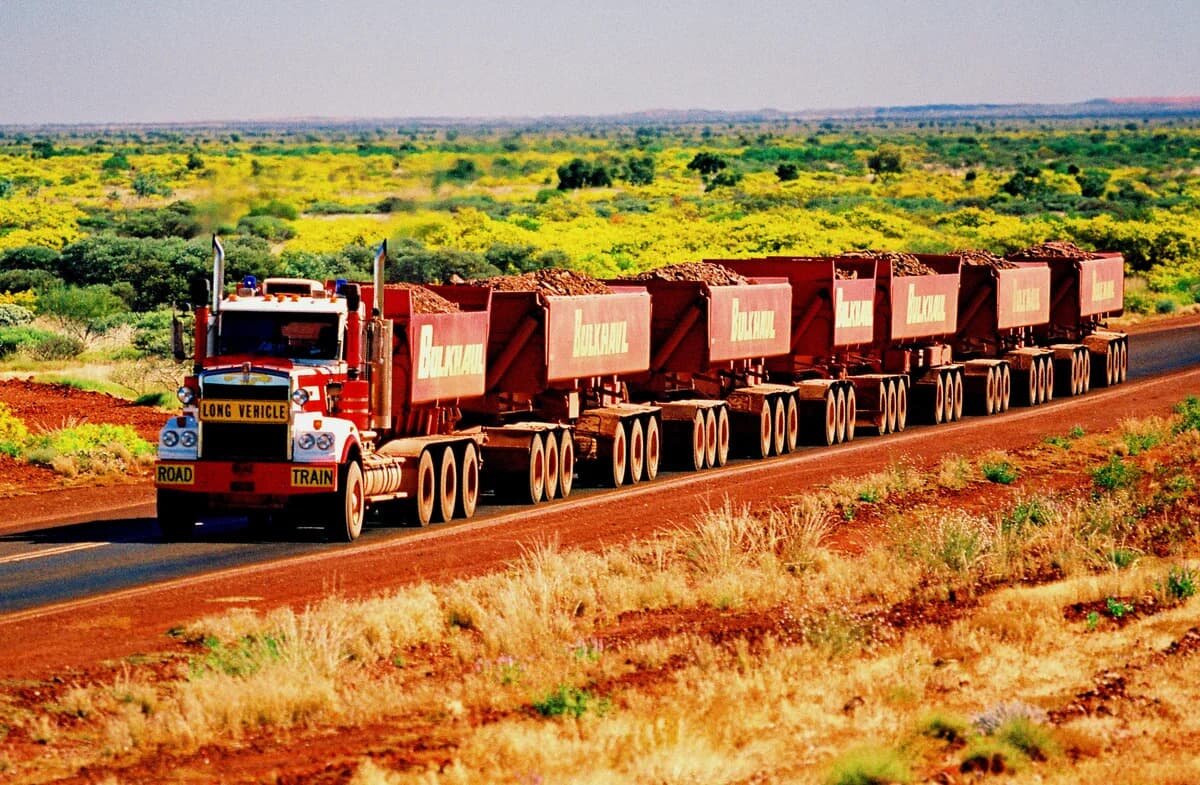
column 707, row 374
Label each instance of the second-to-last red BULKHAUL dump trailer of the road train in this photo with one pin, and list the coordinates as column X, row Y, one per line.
column 1000, row 305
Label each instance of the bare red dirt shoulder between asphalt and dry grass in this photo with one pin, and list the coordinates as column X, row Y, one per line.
column 88, row 632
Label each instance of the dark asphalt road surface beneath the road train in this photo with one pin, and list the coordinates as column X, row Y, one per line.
column 68, row 562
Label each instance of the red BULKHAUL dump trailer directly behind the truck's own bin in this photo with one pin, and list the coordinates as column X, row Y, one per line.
column 554, row 402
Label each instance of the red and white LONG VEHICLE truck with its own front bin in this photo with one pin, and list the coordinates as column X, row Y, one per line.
column 311, row 402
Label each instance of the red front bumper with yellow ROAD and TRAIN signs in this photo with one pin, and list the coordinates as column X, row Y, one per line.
column 249, row 483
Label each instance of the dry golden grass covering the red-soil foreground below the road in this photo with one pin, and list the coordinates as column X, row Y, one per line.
column 631, row 696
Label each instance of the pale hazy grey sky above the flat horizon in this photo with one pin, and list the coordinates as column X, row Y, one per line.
column 183, row 61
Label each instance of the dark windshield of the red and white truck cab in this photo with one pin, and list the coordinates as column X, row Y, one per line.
column 297, row 337
